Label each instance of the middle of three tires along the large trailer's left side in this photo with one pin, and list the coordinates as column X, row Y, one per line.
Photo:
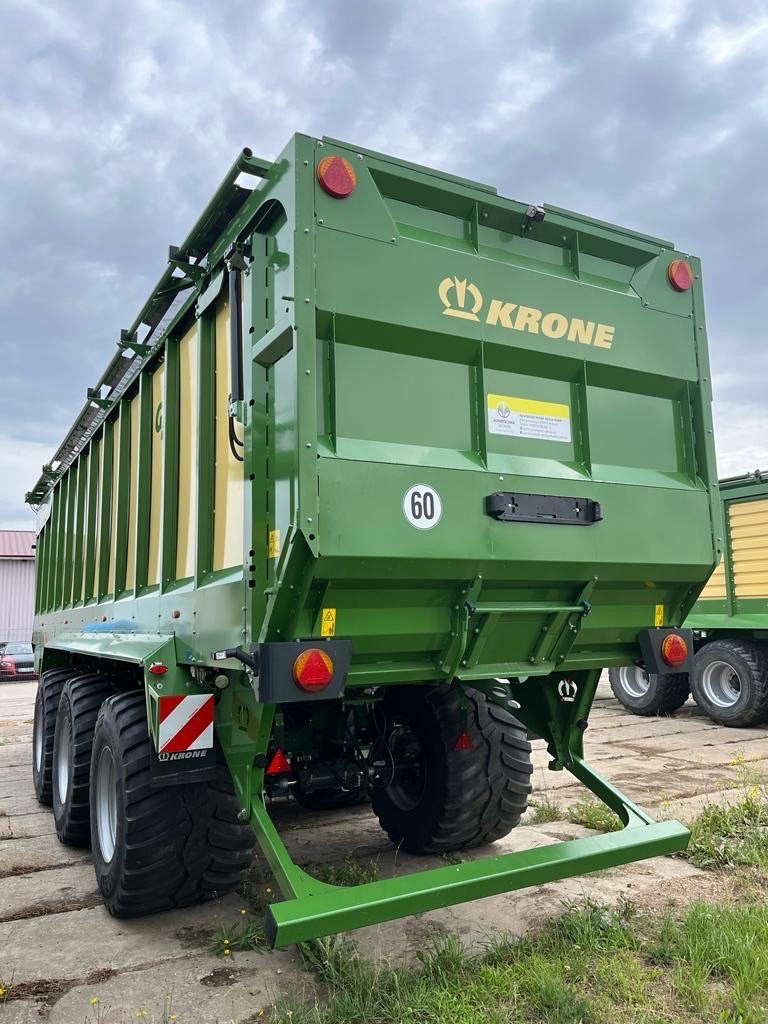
column 76, row 720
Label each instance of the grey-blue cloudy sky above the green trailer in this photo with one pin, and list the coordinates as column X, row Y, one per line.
column 117, row 122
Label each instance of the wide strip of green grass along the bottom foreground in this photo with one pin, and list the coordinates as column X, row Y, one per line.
column 592, row 966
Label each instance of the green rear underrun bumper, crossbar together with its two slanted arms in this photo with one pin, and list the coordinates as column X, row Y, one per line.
column 315, row 909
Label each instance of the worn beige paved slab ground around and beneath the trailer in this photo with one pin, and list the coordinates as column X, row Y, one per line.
column 59, row 948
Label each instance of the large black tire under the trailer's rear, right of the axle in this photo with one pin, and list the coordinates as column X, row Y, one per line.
column 441, row 799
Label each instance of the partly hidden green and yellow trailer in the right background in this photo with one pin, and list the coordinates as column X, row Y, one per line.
column 729, row 677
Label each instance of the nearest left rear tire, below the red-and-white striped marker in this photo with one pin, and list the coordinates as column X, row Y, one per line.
column 155, row 849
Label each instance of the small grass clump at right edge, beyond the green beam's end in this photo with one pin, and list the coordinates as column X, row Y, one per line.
column 733, row 836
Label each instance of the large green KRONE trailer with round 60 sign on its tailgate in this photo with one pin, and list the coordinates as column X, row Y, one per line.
column 383, row 473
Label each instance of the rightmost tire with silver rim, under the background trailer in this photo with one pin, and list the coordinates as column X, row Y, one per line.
column 730, row 682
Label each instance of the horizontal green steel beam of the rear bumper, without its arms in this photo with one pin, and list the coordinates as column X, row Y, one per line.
column 345, row 909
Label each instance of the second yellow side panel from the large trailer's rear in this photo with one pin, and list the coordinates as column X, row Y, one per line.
column 188, row 454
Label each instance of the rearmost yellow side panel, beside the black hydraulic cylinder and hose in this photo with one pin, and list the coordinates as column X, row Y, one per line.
column 230, row 484
